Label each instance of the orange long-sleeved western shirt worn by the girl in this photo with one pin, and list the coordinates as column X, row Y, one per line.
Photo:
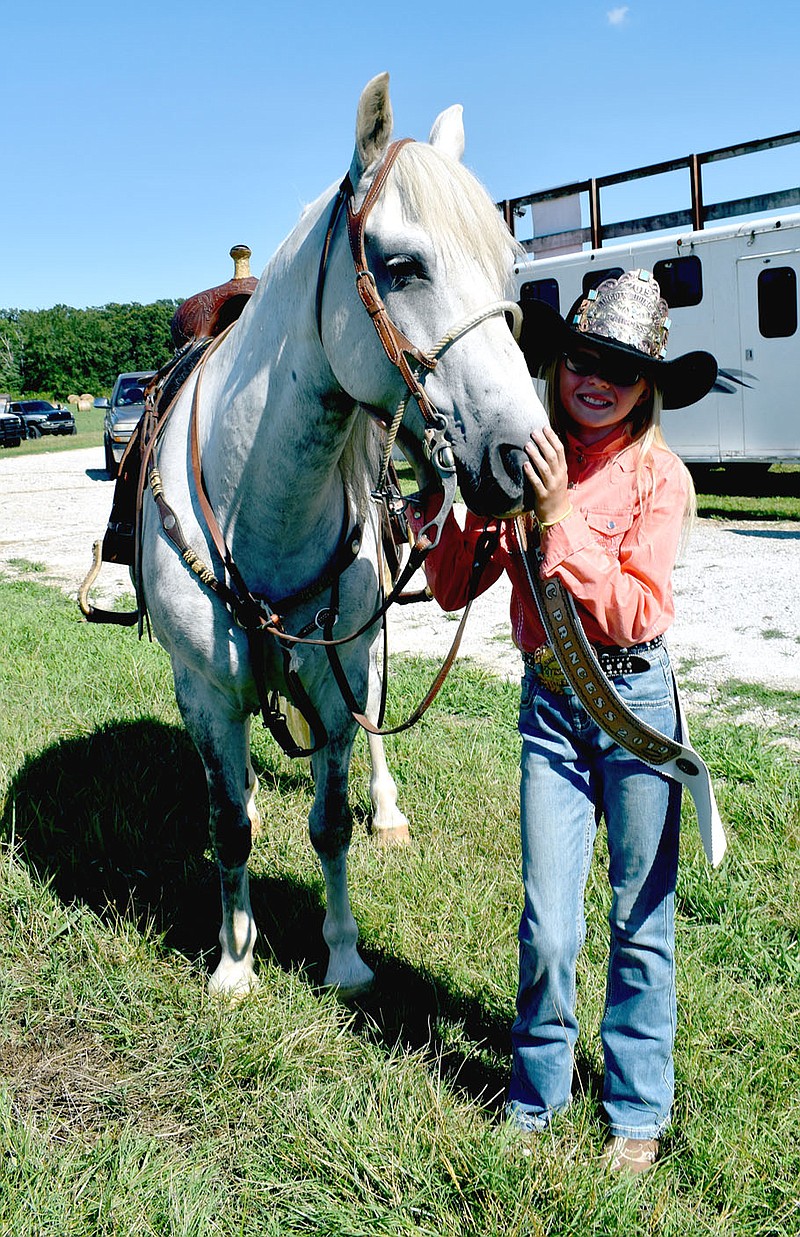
column 615, row 554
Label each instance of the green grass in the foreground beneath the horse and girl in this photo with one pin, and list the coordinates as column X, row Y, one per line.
column 132, row 1104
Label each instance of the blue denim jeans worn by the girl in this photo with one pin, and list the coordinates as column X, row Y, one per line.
column 572, row 775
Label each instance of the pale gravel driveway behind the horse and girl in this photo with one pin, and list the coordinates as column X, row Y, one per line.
column 738, row 588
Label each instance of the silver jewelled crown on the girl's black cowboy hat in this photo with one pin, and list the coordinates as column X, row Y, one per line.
column 629, row 311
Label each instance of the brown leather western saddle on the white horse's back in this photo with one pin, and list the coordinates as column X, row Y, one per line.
column 195, row 325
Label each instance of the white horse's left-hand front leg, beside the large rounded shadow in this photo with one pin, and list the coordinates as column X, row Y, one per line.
column 222, row 738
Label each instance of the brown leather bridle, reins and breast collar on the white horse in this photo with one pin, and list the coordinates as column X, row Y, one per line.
column 258, row 615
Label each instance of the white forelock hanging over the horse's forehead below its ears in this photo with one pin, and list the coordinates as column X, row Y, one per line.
column 451, row 202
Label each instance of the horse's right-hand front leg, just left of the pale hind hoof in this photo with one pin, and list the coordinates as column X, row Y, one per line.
column 331, row 827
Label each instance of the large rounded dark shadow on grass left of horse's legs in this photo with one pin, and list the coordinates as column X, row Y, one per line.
column 118, row 821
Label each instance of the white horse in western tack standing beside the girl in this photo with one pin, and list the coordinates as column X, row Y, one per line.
column 287, row 414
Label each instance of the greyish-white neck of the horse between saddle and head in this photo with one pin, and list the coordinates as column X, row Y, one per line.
column 273, row 458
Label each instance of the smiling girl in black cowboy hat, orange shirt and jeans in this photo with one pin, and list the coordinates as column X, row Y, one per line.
column 609, row 500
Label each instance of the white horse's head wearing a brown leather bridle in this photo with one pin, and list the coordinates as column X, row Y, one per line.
column 438, row 253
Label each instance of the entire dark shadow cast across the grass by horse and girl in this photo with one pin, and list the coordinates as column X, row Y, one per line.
column 118, row 822
